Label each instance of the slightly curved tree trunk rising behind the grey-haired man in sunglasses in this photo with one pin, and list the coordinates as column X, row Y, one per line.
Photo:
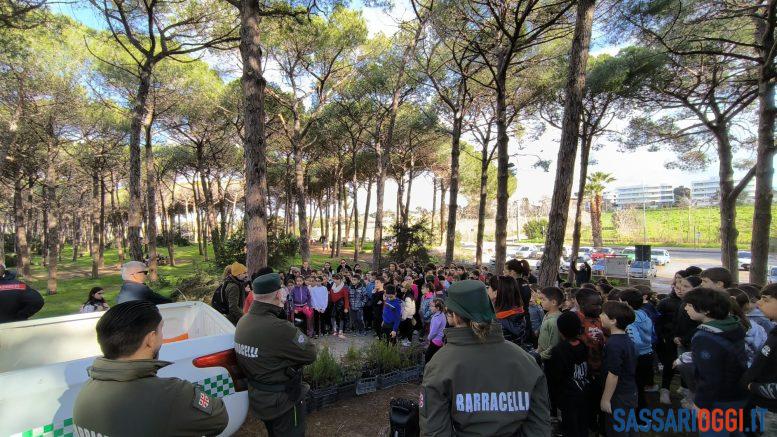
column 139, row 120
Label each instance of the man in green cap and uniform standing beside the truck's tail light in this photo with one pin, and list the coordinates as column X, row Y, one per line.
column 272, row 352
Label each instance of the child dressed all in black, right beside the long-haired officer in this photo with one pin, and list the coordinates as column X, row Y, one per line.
column 569, row 371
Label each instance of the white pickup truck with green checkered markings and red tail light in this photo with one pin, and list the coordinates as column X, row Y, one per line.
column 43, row 366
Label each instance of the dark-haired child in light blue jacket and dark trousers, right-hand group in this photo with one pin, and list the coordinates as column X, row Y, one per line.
column 641, row 332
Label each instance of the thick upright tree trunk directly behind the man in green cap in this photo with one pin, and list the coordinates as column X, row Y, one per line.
column 254, row 137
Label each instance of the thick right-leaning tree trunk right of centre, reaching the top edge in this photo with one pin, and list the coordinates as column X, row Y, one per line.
column 570, row 131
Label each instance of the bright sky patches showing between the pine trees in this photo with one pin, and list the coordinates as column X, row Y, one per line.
column 628, row 168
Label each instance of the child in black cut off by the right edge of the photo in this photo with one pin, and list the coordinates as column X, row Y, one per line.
column 760, row 379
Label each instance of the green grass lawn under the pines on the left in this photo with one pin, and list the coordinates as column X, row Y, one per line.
column 74, row 277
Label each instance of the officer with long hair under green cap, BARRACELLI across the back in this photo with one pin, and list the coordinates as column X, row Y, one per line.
column 466, row 384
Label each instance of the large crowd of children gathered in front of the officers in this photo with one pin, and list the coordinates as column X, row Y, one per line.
column 600, row 346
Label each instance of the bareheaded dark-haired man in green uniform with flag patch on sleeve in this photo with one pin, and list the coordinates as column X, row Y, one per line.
column 124, row 397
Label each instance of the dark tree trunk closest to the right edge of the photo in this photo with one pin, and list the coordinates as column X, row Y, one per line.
column 764, row 167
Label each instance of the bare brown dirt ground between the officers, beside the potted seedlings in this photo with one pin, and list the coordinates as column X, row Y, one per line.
column 362, row 416
